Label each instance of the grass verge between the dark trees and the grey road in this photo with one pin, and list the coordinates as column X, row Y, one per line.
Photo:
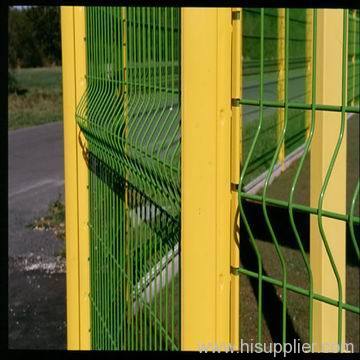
column 40, row 98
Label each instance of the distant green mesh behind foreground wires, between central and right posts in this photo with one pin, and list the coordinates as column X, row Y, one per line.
column 298, row 62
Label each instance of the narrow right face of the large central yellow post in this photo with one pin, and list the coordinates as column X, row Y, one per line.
column 223, row 186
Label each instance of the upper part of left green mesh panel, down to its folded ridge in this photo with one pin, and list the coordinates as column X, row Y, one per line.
column 130, row 111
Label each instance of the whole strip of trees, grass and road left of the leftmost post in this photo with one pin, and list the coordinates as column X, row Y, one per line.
column 36, row 273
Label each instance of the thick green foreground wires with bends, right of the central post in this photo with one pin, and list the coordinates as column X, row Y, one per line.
column 265, row 201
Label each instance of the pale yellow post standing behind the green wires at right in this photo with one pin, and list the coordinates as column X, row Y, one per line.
column 327, row 129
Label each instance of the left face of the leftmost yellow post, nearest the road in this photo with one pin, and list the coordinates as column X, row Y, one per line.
column 70, row 167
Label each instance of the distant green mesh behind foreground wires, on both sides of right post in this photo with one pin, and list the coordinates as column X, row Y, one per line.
column 299, row 80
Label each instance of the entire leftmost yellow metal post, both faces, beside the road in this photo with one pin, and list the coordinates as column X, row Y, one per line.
column 76, row 180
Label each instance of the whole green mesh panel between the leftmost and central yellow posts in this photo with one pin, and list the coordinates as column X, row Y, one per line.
column 130, row 116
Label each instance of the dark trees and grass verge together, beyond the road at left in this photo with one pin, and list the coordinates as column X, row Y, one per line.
column 34, row 66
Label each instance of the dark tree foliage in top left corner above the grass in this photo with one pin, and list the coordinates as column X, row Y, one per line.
column 34, row 36
